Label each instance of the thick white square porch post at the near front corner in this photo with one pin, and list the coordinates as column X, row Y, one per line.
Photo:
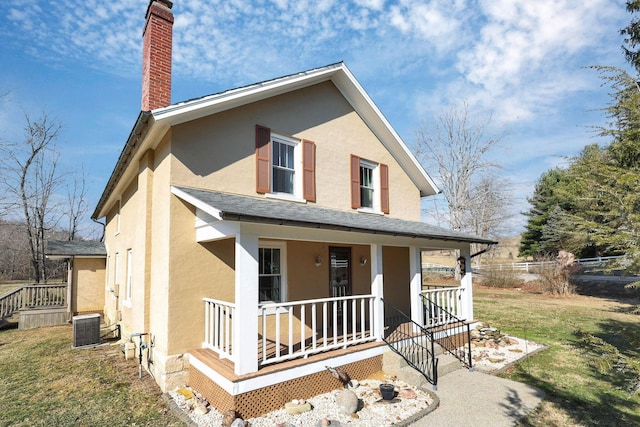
column 245, row 322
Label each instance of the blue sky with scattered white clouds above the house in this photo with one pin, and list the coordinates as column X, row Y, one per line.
column 521, row 62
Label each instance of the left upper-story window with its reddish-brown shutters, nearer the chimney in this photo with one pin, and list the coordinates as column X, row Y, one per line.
column 285, row 166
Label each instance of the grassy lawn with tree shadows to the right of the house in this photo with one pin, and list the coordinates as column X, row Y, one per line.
column 581, row 390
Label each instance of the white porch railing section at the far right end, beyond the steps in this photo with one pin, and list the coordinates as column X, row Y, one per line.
column 448, row 298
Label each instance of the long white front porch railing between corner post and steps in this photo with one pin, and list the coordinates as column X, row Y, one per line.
column 301, row 328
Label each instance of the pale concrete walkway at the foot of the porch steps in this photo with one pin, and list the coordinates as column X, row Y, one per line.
column 478, row 399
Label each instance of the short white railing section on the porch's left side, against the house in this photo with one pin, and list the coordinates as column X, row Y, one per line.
column 218, row 327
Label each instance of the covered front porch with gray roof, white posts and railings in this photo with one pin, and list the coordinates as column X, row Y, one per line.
column 310, row 288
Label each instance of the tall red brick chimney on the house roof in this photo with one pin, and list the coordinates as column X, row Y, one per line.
column 156, row 55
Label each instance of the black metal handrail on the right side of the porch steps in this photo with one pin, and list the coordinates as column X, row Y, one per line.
column 454, row 337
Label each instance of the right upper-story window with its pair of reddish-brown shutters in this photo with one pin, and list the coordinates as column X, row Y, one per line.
column 369, row 186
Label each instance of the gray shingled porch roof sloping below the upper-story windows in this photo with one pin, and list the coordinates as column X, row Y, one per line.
column 234, row 207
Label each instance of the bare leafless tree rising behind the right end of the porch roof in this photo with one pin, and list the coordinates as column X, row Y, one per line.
column 456, row 151
